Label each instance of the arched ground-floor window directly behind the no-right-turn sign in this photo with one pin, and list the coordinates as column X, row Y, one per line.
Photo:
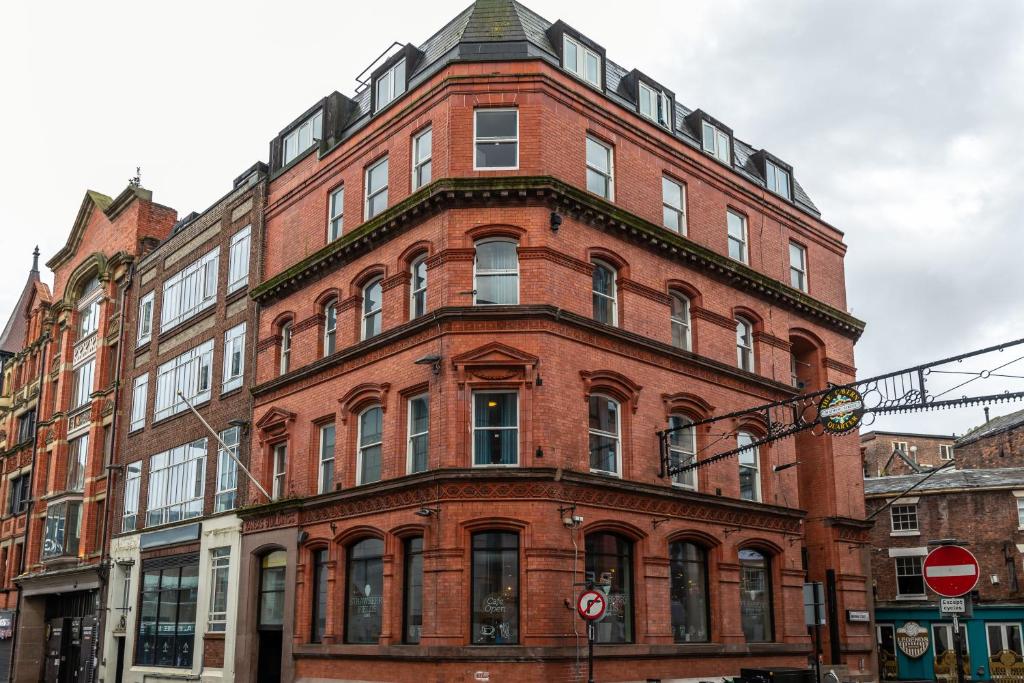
column 610, row 563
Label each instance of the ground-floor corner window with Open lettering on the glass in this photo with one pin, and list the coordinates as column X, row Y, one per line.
column 496, row 588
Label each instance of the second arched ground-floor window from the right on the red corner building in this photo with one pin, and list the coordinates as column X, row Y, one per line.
column 689, row 570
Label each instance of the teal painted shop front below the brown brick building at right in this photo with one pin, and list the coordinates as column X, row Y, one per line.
column 994, row 644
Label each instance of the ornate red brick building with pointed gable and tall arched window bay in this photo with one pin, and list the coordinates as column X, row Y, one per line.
column 72, row 349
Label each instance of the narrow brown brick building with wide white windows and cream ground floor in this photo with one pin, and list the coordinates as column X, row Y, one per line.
column 175, row 531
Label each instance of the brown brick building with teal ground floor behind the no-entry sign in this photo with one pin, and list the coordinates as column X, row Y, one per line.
column 980, row 503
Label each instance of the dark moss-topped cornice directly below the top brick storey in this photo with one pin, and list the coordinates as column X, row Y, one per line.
column 448, row 193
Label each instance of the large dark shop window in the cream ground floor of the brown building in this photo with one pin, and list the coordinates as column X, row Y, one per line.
column 167, row 615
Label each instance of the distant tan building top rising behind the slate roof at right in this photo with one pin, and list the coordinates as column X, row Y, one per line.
column 890, row 454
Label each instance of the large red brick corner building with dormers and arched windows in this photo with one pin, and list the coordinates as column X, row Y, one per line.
column 490, row 279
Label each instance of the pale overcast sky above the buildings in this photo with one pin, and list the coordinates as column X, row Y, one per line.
column 903, row 121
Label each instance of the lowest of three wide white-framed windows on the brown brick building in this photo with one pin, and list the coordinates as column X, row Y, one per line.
column 182, row 471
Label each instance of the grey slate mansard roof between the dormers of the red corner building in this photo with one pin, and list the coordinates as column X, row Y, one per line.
column 505, row 30
